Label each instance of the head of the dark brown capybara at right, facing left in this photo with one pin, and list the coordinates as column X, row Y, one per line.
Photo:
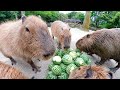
column 85, row 43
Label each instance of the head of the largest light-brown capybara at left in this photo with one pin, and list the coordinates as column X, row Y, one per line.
column 35, row 38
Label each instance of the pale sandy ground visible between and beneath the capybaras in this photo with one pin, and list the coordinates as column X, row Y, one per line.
column 27, row 70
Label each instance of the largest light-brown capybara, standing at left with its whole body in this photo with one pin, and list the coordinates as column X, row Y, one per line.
column 27, row 38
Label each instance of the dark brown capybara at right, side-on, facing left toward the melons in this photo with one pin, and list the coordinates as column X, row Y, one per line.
column 104, row 43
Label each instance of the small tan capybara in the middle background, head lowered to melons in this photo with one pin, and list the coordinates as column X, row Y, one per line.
column 61, row 31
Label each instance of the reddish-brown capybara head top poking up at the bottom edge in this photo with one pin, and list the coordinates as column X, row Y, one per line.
column 90, row 72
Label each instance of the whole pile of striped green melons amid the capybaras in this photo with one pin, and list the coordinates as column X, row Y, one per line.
column 65, row 61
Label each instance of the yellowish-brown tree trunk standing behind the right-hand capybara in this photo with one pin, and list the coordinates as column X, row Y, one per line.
column 86, row 22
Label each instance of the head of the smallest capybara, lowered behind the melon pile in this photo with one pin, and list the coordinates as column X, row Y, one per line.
column 65, row 38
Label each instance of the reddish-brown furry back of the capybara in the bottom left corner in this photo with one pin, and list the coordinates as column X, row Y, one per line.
column 9, row 72
